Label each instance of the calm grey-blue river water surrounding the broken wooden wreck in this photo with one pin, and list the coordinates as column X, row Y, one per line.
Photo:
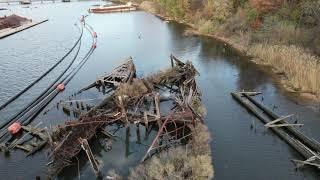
column 238, row 151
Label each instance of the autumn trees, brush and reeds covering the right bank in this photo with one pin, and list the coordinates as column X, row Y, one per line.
column 292, row 25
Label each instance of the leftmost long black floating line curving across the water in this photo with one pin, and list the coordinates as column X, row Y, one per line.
column 41, row 77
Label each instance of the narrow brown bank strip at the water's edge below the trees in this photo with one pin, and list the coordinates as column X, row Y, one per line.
column 279, row 78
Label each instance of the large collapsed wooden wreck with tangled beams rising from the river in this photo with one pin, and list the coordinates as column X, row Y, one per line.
column 168, row 102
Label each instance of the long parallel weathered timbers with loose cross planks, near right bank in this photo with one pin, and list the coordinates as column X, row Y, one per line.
column 305, row 146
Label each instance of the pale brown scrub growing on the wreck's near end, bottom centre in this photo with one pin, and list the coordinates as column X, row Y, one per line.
column 184, row 162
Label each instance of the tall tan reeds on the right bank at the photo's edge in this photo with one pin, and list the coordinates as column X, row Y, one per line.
column 301, row 68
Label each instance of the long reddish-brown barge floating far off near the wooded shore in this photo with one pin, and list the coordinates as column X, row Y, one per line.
column 119, row 8
